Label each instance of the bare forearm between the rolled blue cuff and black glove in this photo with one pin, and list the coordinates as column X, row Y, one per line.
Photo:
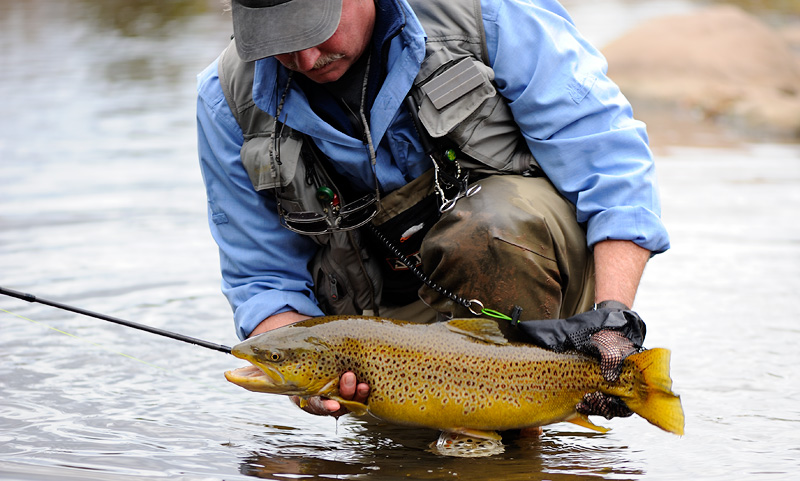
column 618, row 269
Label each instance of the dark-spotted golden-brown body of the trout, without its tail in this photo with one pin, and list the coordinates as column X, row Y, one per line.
column 427, row 375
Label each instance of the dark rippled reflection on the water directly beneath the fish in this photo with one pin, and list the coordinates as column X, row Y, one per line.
column 371, row 449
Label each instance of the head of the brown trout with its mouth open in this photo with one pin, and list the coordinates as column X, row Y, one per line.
column 286, row 361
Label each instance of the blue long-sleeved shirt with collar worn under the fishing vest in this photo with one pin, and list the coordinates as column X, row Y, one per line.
column 576, row 122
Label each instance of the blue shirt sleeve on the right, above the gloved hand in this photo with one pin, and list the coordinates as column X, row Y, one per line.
column 576, row 122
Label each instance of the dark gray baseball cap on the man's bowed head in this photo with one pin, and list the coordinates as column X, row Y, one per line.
column 263, row 28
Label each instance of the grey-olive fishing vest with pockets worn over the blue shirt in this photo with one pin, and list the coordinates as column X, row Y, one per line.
column 457, row 100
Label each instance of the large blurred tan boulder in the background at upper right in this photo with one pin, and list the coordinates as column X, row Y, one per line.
column 719, row 63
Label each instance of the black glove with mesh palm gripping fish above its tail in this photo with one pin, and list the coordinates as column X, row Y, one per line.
column 610, row 332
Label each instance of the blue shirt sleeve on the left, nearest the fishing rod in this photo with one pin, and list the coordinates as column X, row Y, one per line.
column 264, row 266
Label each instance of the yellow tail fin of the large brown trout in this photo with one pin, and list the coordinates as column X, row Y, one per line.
column 653, row 398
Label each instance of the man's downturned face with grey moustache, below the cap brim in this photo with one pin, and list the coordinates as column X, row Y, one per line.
column 330, row 60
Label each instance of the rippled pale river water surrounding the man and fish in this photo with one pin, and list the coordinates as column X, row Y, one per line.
column 102, row 206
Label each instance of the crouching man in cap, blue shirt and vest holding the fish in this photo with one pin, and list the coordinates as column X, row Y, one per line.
column 389, row 115
